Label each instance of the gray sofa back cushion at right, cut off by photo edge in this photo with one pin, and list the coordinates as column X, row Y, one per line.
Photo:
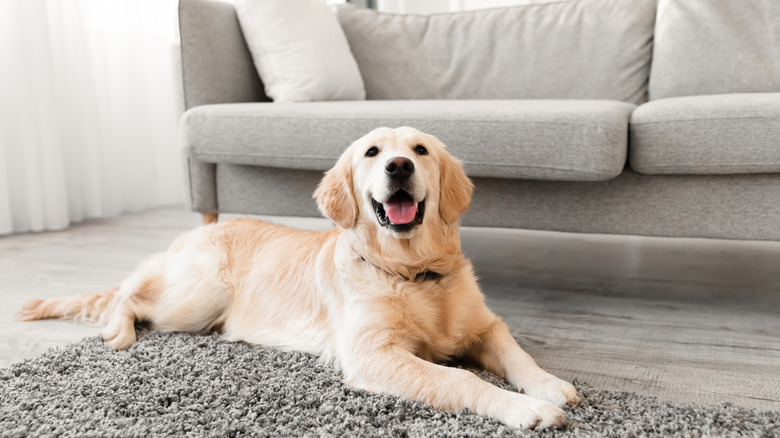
column 716, row 46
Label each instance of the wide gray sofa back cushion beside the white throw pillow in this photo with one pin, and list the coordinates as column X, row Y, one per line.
column 587, row 49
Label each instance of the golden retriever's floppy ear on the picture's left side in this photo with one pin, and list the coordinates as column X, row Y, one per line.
column 334, row 194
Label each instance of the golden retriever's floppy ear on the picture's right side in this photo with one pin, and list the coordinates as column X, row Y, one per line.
column 455, row 188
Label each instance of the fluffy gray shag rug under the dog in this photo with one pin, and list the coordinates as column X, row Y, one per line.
column 180, row 384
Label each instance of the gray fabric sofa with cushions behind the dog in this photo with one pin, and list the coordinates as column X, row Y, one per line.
column 594, row 116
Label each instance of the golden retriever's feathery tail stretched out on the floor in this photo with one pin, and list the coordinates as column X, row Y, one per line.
column 90, row 308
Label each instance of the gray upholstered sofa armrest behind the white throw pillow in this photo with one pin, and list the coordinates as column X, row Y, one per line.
column 216, row 64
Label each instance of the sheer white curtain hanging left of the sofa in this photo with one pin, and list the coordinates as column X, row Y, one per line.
column 89, row 106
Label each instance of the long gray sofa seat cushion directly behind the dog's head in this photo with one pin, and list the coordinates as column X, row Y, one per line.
column 566, row 140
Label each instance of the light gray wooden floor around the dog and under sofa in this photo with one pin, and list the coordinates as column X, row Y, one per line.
column 687, row 320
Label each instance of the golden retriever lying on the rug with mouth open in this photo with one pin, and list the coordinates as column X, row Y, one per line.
column 386, row 295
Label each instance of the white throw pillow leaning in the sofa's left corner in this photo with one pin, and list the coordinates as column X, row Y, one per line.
column 300, row 50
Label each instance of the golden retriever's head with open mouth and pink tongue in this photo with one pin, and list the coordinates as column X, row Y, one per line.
column 400, row 179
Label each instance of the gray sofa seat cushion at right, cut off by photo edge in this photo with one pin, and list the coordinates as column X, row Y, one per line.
column 717, row 134
